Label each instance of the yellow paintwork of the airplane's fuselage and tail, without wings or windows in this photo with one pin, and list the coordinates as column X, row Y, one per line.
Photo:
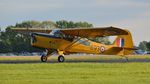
column 94, row 48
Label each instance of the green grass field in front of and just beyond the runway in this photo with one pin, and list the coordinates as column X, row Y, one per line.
column 74, row 73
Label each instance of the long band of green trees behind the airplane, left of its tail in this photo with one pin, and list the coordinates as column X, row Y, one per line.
column 11, row 41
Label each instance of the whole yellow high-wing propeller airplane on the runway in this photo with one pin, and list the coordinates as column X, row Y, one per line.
column 67, row 41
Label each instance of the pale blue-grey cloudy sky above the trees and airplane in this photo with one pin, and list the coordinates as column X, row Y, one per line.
column 133, row 15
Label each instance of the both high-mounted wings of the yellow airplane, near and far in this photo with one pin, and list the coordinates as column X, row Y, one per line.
column 81, row 32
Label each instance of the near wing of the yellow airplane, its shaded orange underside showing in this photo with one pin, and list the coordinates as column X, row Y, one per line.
column 93, row 32
